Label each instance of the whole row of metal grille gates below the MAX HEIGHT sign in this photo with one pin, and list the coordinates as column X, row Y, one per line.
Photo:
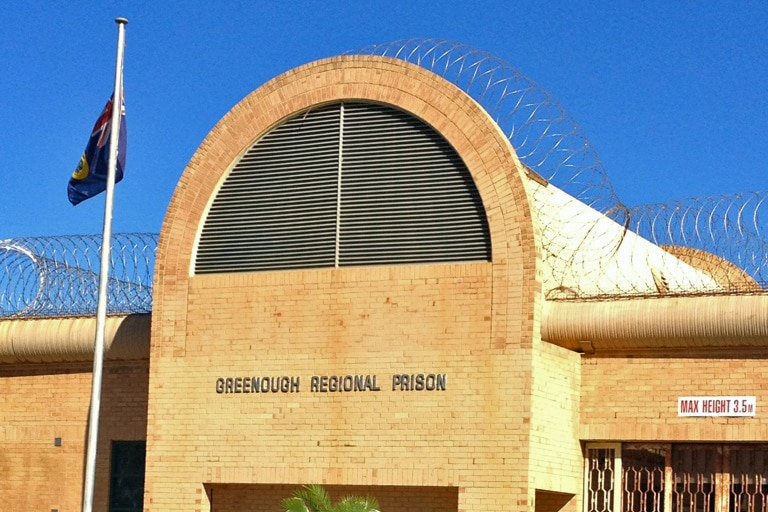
column 679, row 478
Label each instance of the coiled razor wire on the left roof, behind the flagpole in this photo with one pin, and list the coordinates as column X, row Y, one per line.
column 59, row 276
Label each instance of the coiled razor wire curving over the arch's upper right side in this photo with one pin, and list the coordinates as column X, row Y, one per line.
column 544, row 135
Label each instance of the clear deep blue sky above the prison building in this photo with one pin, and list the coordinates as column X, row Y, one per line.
column 672, row 95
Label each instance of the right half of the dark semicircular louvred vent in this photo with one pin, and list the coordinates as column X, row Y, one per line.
column 406, row 195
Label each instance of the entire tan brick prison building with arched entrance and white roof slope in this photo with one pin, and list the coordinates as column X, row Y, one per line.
column 351, row 288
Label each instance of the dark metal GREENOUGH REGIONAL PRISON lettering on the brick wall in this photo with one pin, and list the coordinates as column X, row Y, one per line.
column 331, row 383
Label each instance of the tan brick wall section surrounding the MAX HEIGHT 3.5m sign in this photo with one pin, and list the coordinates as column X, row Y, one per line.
column 635, row 398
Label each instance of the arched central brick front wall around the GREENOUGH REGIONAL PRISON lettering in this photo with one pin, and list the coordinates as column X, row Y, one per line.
column 474, row 323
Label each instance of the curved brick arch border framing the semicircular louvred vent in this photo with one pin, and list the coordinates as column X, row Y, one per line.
column 486, row 152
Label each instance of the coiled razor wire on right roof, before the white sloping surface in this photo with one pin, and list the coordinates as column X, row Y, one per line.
column 697, row 246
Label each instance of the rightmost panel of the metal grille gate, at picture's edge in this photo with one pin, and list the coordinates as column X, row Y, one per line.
column 748, row 475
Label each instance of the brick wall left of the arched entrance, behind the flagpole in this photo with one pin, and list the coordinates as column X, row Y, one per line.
column 39, row 403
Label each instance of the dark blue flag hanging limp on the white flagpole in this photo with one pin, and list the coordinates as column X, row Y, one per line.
column 90, row 177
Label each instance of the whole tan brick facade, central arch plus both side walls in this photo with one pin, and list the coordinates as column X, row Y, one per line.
column 427, row 386
